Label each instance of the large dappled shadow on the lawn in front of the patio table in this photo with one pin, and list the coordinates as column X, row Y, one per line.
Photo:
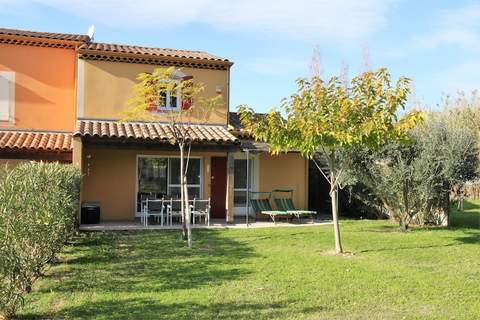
column 148, row 262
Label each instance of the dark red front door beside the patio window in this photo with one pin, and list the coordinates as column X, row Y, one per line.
column 219, row 186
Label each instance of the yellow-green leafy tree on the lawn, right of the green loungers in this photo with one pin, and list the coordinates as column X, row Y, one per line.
column 330, row 117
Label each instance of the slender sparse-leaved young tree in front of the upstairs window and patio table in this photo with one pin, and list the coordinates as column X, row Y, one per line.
column 151, row 93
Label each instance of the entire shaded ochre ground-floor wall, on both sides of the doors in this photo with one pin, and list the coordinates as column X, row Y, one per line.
column 110, row 177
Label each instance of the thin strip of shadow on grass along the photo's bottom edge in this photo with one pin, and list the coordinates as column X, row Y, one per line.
column 153, row 309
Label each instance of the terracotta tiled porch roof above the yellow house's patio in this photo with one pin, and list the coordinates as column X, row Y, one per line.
column 150, row 131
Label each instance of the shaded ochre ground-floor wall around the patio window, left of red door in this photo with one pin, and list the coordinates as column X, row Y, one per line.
column 110, row 178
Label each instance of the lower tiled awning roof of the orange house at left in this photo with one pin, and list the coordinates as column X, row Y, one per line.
column 31, row 140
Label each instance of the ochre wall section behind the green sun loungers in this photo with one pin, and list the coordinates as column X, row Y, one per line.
column 285, row 171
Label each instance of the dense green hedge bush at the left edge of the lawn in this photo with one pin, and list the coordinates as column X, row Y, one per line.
column 38, row 210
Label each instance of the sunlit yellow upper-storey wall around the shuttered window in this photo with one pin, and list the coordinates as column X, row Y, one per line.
column 109, row 85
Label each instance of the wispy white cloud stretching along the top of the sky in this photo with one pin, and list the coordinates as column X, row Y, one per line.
column 300, row 19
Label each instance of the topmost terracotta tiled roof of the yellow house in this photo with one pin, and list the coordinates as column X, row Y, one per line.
column 147, row 51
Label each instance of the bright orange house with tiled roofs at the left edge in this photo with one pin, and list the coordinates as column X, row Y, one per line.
column 37, row 95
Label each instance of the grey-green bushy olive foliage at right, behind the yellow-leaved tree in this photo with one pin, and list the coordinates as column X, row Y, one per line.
column 414, row 180
